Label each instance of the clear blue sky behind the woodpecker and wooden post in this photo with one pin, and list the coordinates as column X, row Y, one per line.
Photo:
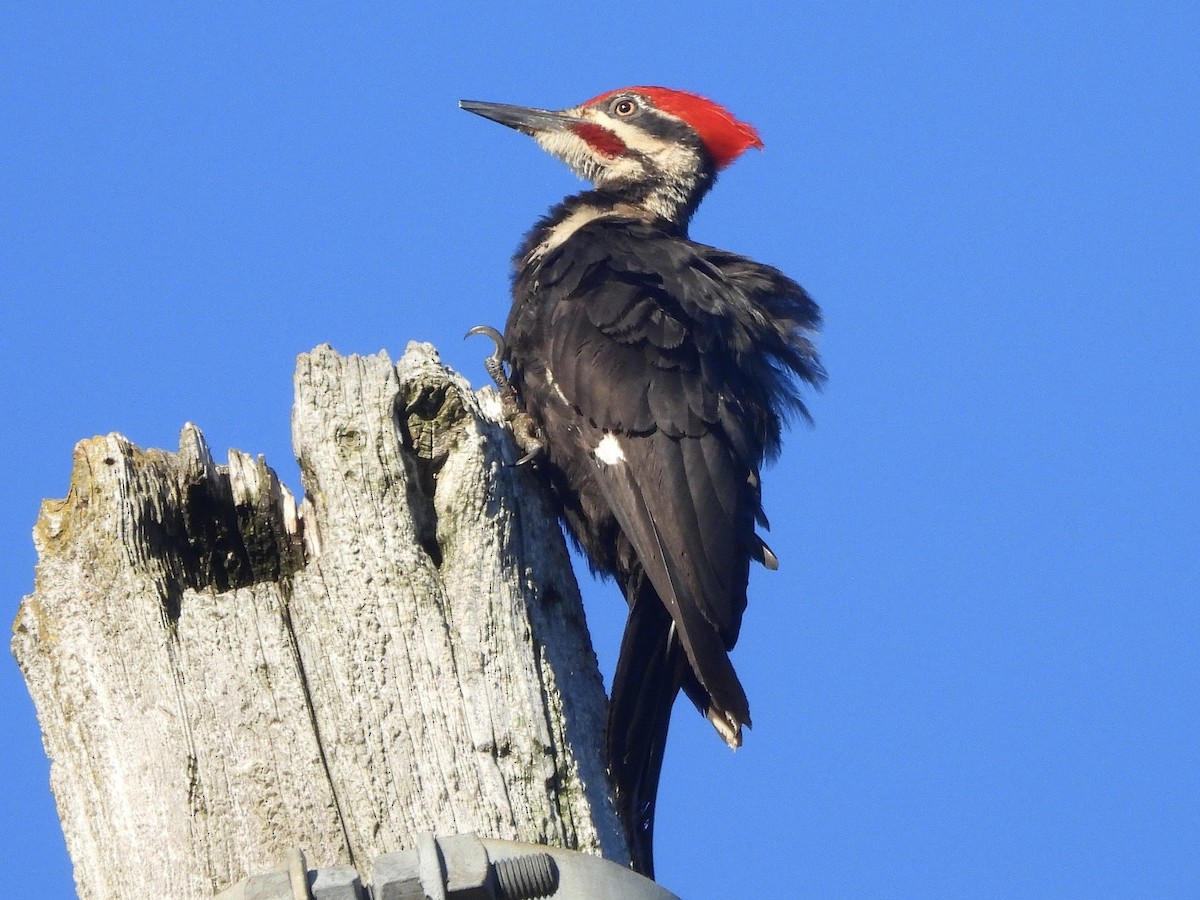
column 975, row 674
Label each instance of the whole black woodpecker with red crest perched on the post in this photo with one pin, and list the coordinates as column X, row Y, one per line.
column 657, row 374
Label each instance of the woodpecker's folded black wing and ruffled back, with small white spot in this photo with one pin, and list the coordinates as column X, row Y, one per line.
column 679, row 357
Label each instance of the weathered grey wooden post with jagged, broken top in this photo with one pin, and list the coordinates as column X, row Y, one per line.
column 221, row 676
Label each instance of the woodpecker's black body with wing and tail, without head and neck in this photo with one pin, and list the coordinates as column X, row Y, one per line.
column 659, row 371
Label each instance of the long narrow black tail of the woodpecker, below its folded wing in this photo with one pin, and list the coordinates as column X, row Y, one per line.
column 650, row 674
